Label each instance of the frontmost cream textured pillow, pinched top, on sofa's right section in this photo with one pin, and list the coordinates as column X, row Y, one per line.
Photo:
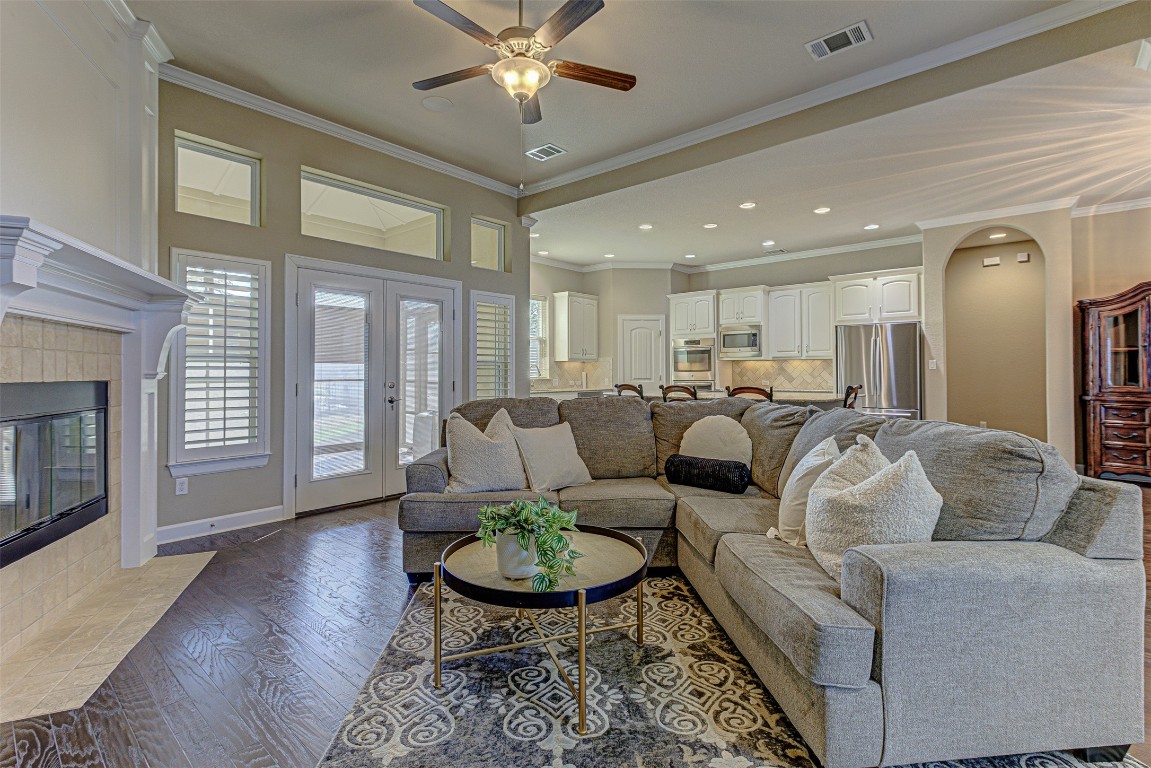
column 864, row 499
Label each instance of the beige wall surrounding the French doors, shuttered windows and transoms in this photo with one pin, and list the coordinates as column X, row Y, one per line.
column 285, row 148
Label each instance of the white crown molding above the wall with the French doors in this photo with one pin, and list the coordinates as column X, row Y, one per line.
column 291, row 115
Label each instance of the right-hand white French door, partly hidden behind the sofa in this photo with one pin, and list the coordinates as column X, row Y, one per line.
column 418, row 364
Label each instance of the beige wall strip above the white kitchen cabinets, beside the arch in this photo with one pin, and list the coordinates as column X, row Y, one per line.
column 811, row 270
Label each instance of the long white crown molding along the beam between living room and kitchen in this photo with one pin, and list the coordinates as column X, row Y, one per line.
column 1042, row 22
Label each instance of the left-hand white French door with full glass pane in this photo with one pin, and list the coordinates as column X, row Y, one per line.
column 340, row 400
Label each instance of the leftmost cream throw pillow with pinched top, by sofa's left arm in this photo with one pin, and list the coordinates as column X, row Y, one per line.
column 483, row 461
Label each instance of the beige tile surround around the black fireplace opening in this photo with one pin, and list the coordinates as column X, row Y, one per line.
column 40, row 590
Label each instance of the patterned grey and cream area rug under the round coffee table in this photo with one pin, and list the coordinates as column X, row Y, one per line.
column 685, row 699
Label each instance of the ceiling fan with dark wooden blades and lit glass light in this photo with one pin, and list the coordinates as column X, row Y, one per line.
column 522, row 71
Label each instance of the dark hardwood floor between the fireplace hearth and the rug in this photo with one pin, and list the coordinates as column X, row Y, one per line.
column 261, row 658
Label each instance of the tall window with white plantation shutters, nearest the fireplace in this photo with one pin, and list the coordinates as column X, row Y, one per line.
column 219, row 412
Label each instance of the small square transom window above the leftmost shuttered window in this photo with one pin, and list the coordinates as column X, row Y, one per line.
column 216, row 183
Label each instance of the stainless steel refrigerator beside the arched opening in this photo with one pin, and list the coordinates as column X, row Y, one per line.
column 885, row 358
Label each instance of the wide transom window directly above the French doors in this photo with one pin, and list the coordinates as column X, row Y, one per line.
column 354, row 212
